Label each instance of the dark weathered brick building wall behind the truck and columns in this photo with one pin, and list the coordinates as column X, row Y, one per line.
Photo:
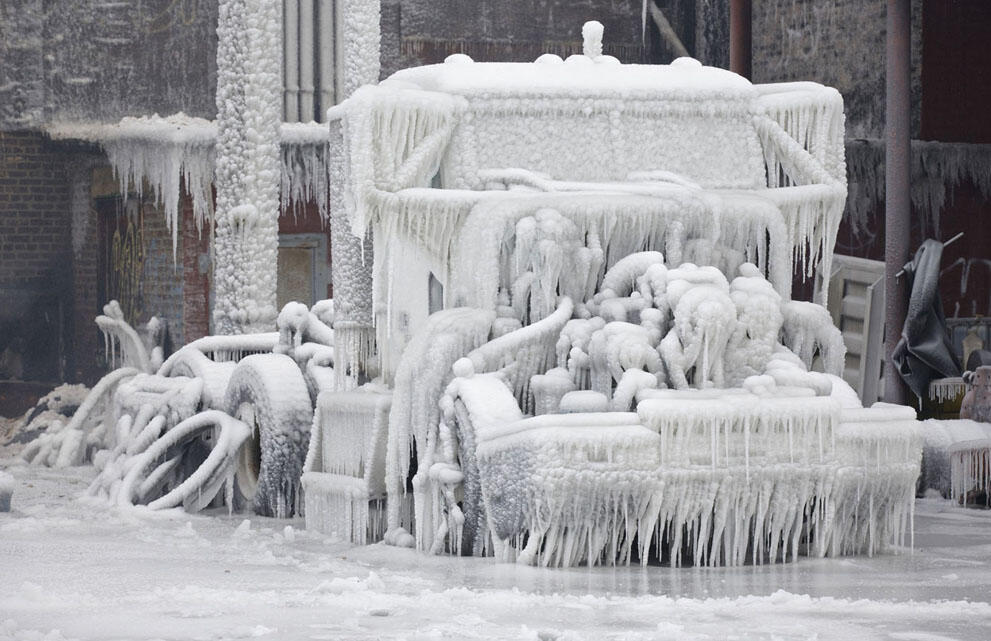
column 70, row 240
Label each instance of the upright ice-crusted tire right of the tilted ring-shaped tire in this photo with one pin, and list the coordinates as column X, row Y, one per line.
column 268, row 393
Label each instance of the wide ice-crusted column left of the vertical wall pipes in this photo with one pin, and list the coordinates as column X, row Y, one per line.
column 249, row 112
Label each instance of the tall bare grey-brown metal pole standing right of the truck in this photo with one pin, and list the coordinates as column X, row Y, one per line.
column 897, row 209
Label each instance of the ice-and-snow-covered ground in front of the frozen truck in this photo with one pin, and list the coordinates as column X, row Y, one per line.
column 81, row 570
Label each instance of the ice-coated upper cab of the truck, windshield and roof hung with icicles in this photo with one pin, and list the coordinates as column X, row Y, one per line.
column 692, row 160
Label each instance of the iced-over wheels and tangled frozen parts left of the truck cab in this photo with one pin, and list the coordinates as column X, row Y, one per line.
column 180, row 434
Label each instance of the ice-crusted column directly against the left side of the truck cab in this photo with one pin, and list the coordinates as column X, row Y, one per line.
column 359, row 37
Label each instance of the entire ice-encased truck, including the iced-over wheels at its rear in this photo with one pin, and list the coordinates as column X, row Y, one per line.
column 562, row 332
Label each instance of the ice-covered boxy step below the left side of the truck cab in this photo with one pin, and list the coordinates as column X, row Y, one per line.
column 344, row 473
